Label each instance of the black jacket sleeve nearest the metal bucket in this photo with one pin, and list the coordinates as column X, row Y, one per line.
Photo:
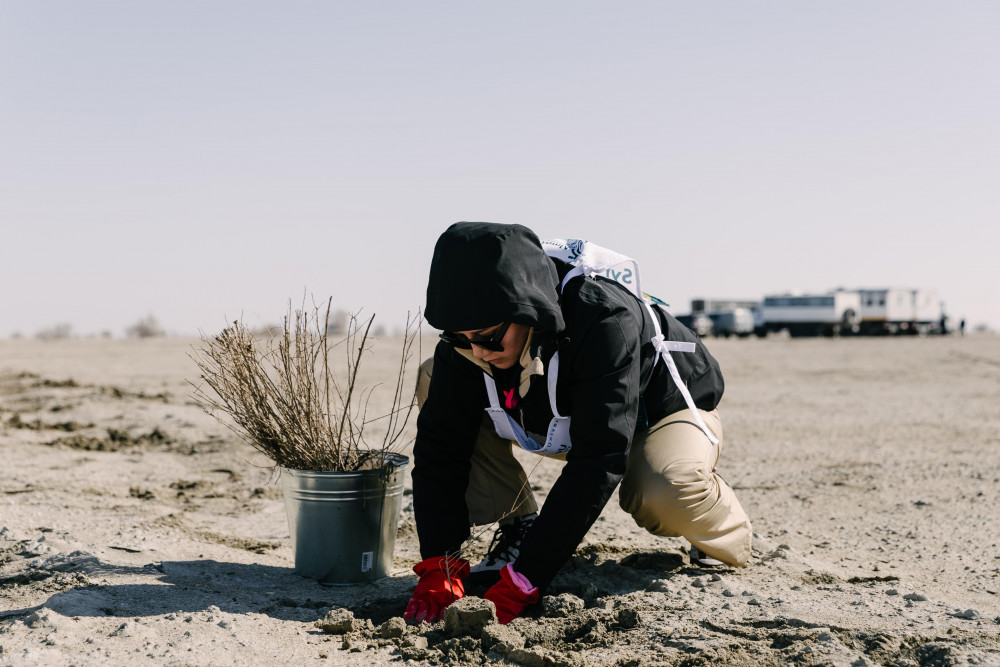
column 447, row 427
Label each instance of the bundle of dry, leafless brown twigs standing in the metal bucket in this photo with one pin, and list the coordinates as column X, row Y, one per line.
column 281, row 395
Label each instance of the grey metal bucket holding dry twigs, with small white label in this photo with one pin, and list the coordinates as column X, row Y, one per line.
column 343, row 524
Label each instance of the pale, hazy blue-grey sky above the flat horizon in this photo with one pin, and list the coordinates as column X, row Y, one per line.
column 203, row 161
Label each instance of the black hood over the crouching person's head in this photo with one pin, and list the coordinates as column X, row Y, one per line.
column 484, row 273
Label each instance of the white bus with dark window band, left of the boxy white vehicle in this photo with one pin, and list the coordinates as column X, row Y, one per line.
column 833, row 314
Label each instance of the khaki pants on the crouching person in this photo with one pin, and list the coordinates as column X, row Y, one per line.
column 670, row 486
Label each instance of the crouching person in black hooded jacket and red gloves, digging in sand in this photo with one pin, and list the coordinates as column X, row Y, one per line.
column 536, row 354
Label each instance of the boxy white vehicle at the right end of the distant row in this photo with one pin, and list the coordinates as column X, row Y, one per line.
column 901, row 310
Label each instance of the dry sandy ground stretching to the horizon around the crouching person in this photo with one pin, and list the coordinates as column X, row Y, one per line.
column 134, row 529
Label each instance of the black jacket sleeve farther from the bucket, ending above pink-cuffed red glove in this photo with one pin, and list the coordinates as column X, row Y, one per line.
column 605, row 385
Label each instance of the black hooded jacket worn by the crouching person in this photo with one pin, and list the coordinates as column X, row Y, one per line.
column 609, row 383
